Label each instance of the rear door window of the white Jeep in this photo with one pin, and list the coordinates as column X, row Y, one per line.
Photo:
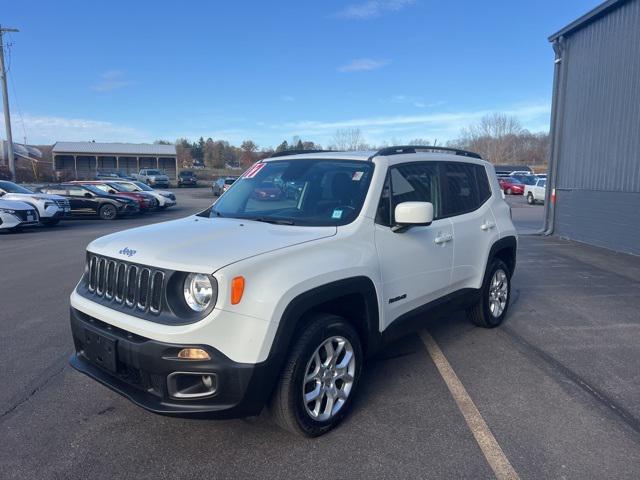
column 462, row 188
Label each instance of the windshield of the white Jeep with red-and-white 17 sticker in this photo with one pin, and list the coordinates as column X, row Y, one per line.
column 298, row 192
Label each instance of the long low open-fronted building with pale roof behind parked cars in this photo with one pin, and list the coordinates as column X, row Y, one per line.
column 82, row 160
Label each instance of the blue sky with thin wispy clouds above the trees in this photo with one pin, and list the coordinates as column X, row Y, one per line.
column 137, row 71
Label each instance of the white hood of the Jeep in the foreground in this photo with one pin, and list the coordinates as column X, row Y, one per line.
column 202, row 245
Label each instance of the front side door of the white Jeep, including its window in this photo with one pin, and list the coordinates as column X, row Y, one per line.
column 415, row 264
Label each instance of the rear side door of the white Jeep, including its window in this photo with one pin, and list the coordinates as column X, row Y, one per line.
column 466, row 204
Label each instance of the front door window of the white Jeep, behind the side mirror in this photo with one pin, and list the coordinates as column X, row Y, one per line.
column 411, row 182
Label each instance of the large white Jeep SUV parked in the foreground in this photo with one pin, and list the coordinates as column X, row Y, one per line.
column 278, row 300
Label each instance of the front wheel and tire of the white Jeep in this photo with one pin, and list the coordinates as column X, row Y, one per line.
column 309, row 358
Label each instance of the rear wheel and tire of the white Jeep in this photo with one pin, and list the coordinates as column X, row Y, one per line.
column 493, row 304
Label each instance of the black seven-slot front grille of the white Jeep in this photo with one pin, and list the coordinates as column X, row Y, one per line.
column 133, row 286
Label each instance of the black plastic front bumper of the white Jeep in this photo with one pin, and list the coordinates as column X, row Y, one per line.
column 140, row 368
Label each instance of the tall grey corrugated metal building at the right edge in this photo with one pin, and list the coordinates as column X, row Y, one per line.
column 595, row 129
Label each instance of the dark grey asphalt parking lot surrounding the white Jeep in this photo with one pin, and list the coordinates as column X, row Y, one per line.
column 558, row 384
